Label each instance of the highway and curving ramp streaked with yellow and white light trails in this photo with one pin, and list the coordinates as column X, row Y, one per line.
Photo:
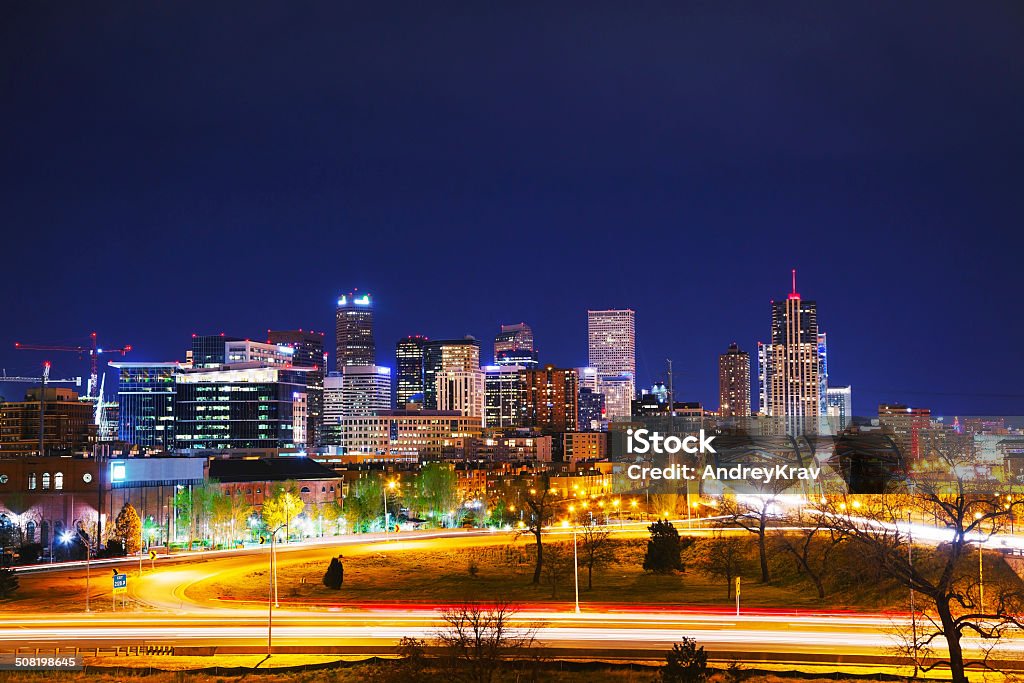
column 172, row 617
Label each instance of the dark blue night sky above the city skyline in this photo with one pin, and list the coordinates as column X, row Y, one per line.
column 170, row 168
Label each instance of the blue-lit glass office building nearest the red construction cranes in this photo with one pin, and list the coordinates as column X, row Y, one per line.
column 146, row 395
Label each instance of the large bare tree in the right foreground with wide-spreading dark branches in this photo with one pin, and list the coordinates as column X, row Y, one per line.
column 947, row 575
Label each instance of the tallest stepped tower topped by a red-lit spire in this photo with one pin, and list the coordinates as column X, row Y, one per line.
column 792, row 366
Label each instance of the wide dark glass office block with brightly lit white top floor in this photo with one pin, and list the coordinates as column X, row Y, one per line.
column 243, row 407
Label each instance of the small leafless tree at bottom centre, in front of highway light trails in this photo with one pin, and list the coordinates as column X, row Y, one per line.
column 477, row 638
